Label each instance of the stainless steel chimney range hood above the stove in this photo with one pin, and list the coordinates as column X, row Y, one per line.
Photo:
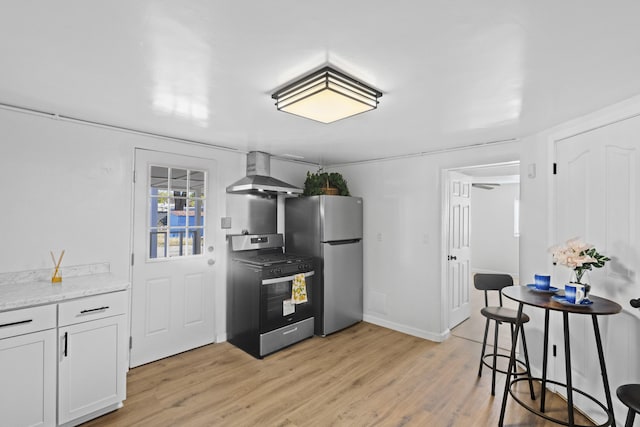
column 259, row 180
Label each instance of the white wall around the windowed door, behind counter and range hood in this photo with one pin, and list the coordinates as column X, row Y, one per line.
column 68, row 186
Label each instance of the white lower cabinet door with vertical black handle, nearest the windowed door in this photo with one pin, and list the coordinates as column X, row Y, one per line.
column 92, row 367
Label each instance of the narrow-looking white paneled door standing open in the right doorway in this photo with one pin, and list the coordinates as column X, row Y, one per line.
column 459, row 256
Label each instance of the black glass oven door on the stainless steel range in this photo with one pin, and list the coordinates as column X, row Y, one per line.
column 276, row 304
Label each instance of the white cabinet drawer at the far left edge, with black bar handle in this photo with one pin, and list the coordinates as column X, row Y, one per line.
column 27, row 320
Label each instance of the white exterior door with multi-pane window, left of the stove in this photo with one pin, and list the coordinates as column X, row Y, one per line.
column 173, row 263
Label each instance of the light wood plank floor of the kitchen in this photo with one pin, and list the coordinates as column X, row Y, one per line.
column 365, row 375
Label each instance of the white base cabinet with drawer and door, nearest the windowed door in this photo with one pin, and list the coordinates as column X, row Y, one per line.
column 92, row 356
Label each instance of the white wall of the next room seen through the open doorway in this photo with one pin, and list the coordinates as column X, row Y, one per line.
column 494, row 248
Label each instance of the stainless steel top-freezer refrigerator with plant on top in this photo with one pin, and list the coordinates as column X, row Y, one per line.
column 330, row 229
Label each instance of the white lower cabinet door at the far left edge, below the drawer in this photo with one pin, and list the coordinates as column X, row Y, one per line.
column 28, row 380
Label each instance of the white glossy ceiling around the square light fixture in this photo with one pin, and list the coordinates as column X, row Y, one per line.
column 453, row 73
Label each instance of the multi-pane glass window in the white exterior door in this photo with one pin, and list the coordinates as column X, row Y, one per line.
column 177, row 208
